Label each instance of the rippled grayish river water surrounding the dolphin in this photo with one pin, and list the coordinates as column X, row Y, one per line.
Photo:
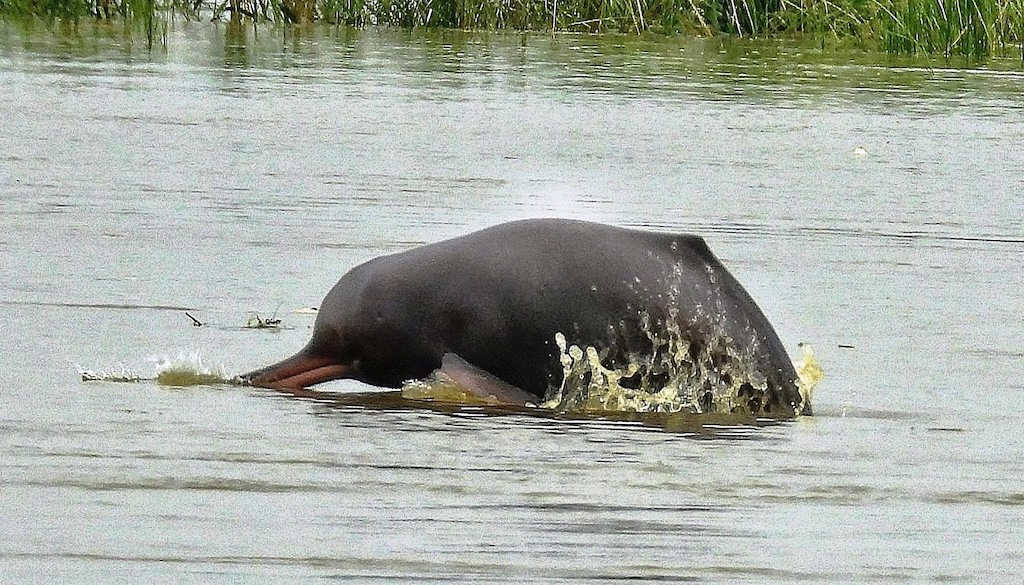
column 874, row 210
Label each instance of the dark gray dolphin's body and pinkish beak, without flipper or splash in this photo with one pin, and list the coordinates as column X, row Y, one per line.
column 497, row 299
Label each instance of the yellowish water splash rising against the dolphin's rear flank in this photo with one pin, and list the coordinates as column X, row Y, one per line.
column 693, row 365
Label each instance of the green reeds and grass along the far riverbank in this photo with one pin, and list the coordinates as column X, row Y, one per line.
column 974, row 29
